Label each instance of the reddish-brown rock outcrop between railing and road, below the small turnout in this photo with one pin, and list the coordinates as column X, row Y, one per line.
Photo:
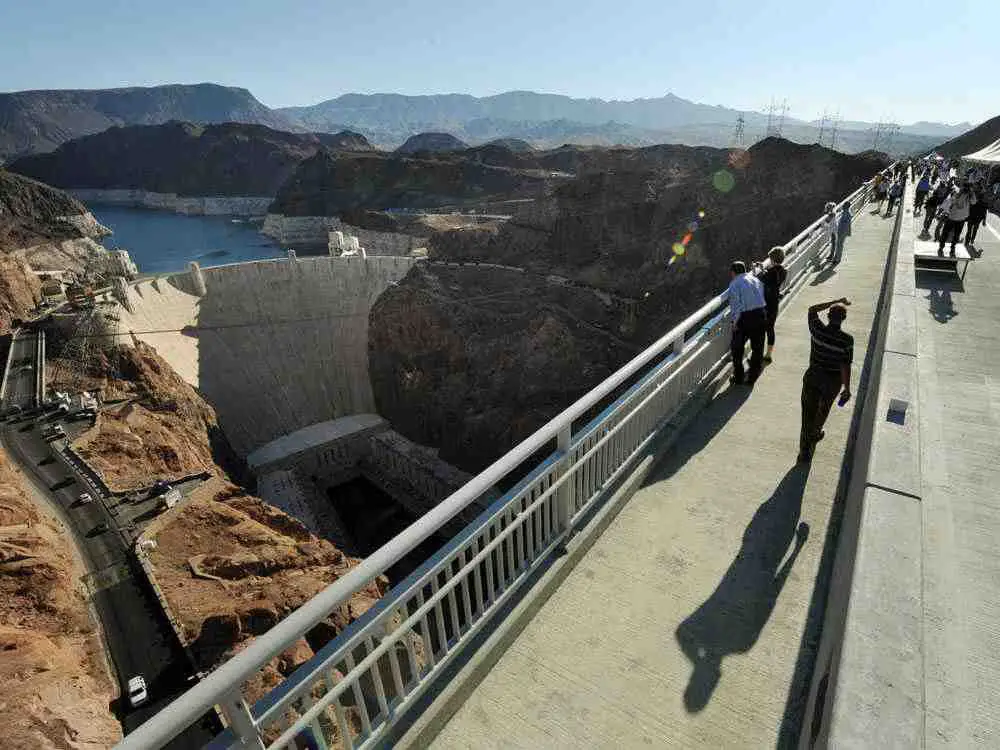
column 231, row 566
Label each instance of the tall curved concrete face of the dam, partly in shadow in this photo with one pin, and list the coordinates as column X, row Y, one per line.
column 273, row 345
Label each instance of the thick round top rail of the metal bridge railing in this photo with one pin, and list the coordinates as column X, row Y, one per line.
column 189, row 707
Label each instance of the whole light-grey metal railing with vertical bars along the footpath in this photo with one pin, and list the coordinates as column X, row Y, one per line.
column 358, row 685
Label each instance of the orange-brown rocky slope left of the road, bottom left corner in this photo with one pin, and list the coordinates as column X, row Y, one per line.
column 56, row 685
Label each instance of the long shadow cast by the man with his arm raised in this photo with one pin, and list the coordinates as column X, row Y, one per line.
column 732, row 618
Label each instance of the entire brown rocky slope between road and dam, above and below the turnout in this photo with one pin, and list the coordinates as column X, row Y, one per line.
column 230, row 565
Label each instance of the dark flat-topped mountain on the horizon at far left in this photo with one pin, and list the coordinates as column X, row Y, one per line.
column 38, row 121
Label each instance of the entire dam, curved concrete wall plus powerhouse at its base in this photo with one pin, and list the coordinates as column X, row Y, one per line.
column 279, row 348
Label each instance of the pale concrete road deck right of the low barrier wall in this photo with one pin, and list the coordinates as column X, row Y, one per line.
column 958, row 376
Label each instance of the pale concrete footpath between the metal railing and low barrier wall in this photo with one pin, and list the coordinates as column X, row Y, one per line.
column 685, row 624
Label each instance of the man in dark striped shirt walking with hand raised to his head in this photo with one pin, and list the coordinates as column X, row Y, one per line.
column 830, row 355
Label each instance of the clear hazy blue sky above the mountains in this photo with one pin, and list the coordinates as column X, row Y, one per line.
column 871, row 58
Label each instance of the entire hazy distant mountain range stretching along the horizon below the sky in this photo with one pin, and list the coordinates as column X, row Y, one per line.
column 39, row 121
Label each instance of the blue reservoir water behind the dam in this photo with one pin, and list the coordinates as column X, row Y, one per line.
column 164, row 242
